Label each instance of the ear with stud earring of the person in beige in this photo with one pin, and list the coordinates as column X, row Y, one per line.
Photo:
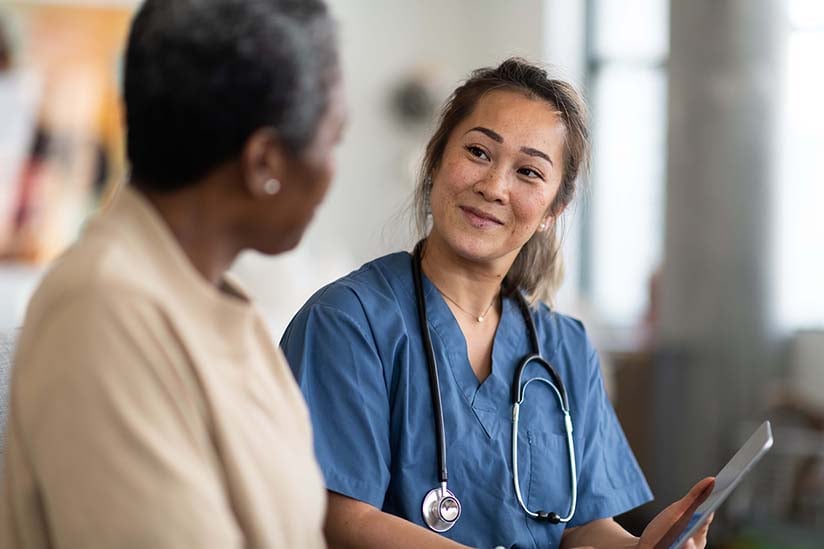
column 263, row 164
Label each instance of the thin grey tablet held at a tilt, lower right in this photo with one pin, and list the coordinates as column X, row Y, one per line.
column 728, row 478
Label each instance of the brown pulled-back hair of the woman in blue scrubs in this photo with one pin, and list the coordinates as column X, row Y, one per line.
column 538, row 269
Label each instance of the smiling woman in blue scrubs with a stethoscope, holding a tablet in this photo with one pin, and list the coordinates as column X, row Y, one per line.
column 497, row 174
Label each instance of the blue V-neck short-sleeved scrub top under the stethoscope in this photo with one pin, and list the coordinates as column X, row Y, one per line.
column 357, row 354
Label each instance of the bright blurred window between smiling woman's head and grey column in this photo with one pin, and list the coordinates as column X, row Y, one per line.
column 628, row 48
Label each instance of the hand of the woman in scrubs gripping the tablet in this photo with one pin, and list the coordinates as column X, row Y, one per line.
column 671, row 522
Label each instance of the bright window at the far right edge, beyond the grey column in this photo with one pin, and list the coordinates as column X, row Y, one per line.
column 800, row 185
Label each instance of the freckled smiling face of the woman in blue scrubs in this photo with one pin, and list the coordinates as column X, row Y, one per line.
column 498, row 177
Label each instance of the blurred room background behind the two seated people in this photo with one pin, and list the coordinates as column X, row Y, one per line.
column 695, row 252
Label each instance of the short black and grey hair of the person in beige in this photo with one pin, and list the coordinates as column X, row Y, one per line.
column 202, row 75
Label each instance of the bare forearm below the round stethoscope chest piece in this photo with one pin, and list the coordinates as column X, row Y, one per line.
column 353, row 524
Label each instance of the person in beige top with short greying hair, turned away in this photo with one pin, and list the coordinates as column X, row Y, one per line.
column 150, row 407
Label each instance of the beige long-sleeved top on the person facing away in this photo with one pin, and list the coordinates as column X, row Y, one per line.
column 150, row 409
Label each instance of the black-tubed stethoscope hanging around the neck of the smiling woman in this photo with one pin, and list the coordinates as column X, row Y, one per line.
column 441, row 508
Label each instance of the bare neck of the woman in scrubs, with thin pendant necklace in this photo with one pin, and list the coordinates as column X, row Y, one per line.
column 473, row 285
